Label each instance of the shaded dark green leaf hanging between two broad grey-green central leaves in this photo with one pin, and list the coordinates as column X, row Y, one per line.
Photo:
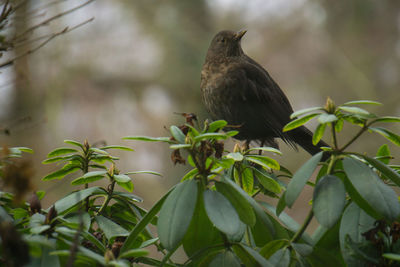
column 201, row 232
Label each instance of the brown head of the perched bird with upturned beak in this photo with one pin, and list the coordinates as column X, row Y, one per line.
column 226, row 44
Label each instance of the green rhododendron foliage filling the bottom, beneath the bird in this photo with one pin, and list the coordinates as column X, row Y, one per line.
column 213, row 212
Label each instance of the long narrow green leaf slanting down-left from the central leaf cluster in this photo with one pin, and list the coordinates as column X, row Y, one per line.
column 130, row 241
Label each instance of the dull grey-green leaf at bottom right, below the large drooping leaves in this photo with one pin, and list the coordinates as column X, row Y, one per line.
column 353, row 224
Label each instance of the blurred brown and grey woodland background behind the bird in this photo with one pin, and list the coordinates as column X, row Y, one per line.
column 126, row 72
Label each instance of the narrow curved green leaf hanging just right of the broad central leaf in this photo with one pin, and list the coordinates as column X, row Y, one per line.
column 241, row 205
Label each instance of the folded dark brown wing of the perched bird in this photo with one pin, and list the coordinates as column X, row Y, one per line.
column 261, row 99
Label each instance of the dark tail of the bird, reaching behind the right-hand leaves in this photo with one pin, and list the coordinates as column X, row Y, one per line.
column 303, row 137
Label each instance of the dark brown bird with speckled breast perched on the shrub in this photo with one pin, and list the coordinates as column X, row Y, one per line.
column 237, row 89
